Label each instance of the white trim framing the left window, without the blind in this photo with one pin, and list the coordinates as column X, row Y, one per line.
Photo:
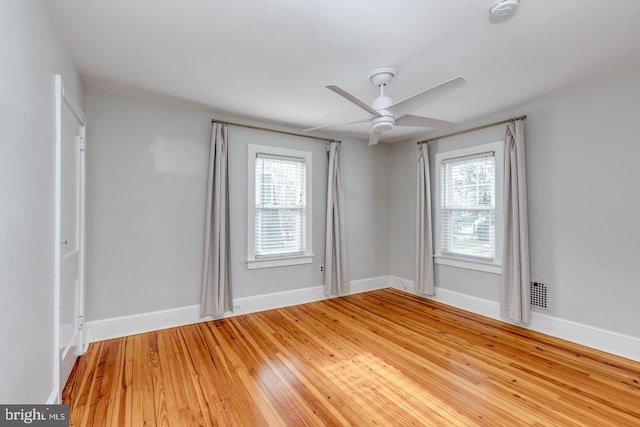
column 277, row 260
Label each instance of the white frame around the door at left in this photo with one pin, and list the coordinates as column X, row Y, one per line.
column 62, row 98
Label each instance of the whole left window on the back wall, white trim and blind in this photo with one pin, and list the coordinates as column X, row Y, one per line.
column 279, row 207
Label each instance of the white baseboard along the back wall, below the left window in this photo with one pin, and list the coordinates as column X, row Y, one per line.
column 99, row 330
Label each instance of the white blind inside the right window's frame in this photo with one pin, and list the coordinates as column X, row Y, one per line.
column 468, row 207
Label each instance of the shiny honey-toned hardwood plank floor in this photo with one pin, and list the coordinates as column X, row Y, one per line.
column 382, row 358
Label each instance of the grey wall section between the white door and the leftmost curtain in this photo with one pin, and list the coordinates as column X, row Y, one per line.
column 146, row 177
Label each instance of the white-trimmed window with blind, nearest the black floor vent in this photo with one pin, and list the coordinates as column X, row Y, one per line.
column 468, row 204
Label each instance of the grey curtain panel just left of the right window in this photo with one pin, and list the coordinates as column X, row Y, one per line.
column 424, row 276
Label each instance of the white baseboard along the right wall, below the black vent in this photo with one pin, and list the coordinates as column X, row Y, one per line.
column 600, row 339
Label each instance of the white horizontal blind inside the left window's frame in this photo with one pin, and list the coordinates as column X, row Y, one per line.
column 280, row 203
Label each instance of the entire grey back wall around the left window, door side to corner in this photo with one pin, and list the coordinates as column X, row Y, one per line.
column 146, row 165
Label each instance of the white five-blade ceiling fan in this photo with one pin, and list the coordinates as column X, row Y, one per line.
column 385, row 113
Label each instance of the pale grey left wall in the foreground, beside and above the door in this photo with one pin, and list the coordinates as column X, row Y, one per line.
column 32, row 52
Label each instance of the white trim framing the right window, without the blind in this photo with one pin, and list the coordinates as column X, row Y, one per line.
column 471, row 263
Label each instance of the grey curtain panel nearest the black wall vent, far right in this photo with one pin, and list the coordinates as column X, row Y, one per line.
column 515, row 301
